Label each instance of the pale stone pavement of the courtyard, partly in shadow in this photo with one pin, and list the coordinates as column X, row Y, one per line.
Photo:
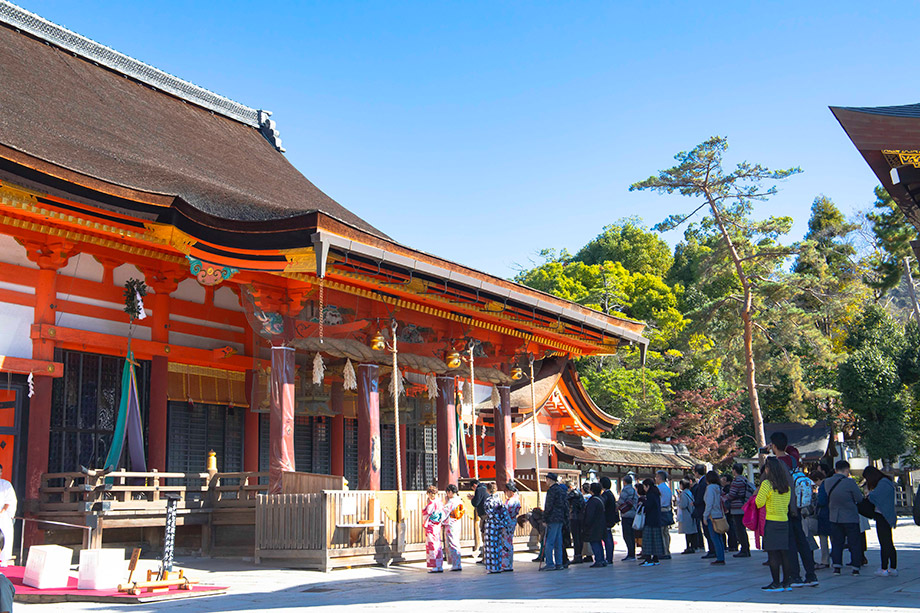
column 685, row 583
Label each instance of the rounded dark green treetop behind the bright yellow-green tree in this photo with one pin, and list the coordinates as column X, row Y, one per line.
column 630, row 243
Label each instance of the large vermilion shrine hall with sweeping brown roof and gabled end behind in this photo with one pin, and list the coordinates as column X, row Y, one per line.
column 270, row 313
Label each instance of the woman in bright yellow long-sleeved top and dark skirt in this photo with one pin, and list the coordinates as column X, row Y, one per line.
column 774, row 494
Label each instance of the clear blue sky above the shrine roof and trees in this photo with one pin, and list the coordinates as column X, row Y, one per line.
column 483, row 132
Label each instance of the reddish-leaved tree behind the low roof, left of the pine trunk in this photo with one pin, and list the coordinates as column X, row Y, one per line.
column 704, row 423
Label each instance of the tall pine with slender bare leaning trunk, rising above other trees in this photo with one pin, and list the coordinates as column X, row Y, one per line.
column 729, row 197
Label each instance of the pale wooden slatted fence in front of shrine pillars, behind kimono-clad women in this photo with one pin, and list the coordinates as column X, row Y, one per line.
column 343, row 528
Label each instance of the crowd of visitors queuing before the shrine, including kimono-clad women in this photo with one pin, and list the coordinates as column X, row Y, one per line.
column 803, row 522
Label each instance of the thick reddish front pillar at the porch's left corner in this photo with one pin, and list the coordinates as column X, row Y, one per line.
column 281, row 431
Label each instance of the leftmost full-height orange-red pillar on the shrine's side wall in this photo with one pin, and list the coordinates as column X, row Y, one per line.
column 50, row 257
